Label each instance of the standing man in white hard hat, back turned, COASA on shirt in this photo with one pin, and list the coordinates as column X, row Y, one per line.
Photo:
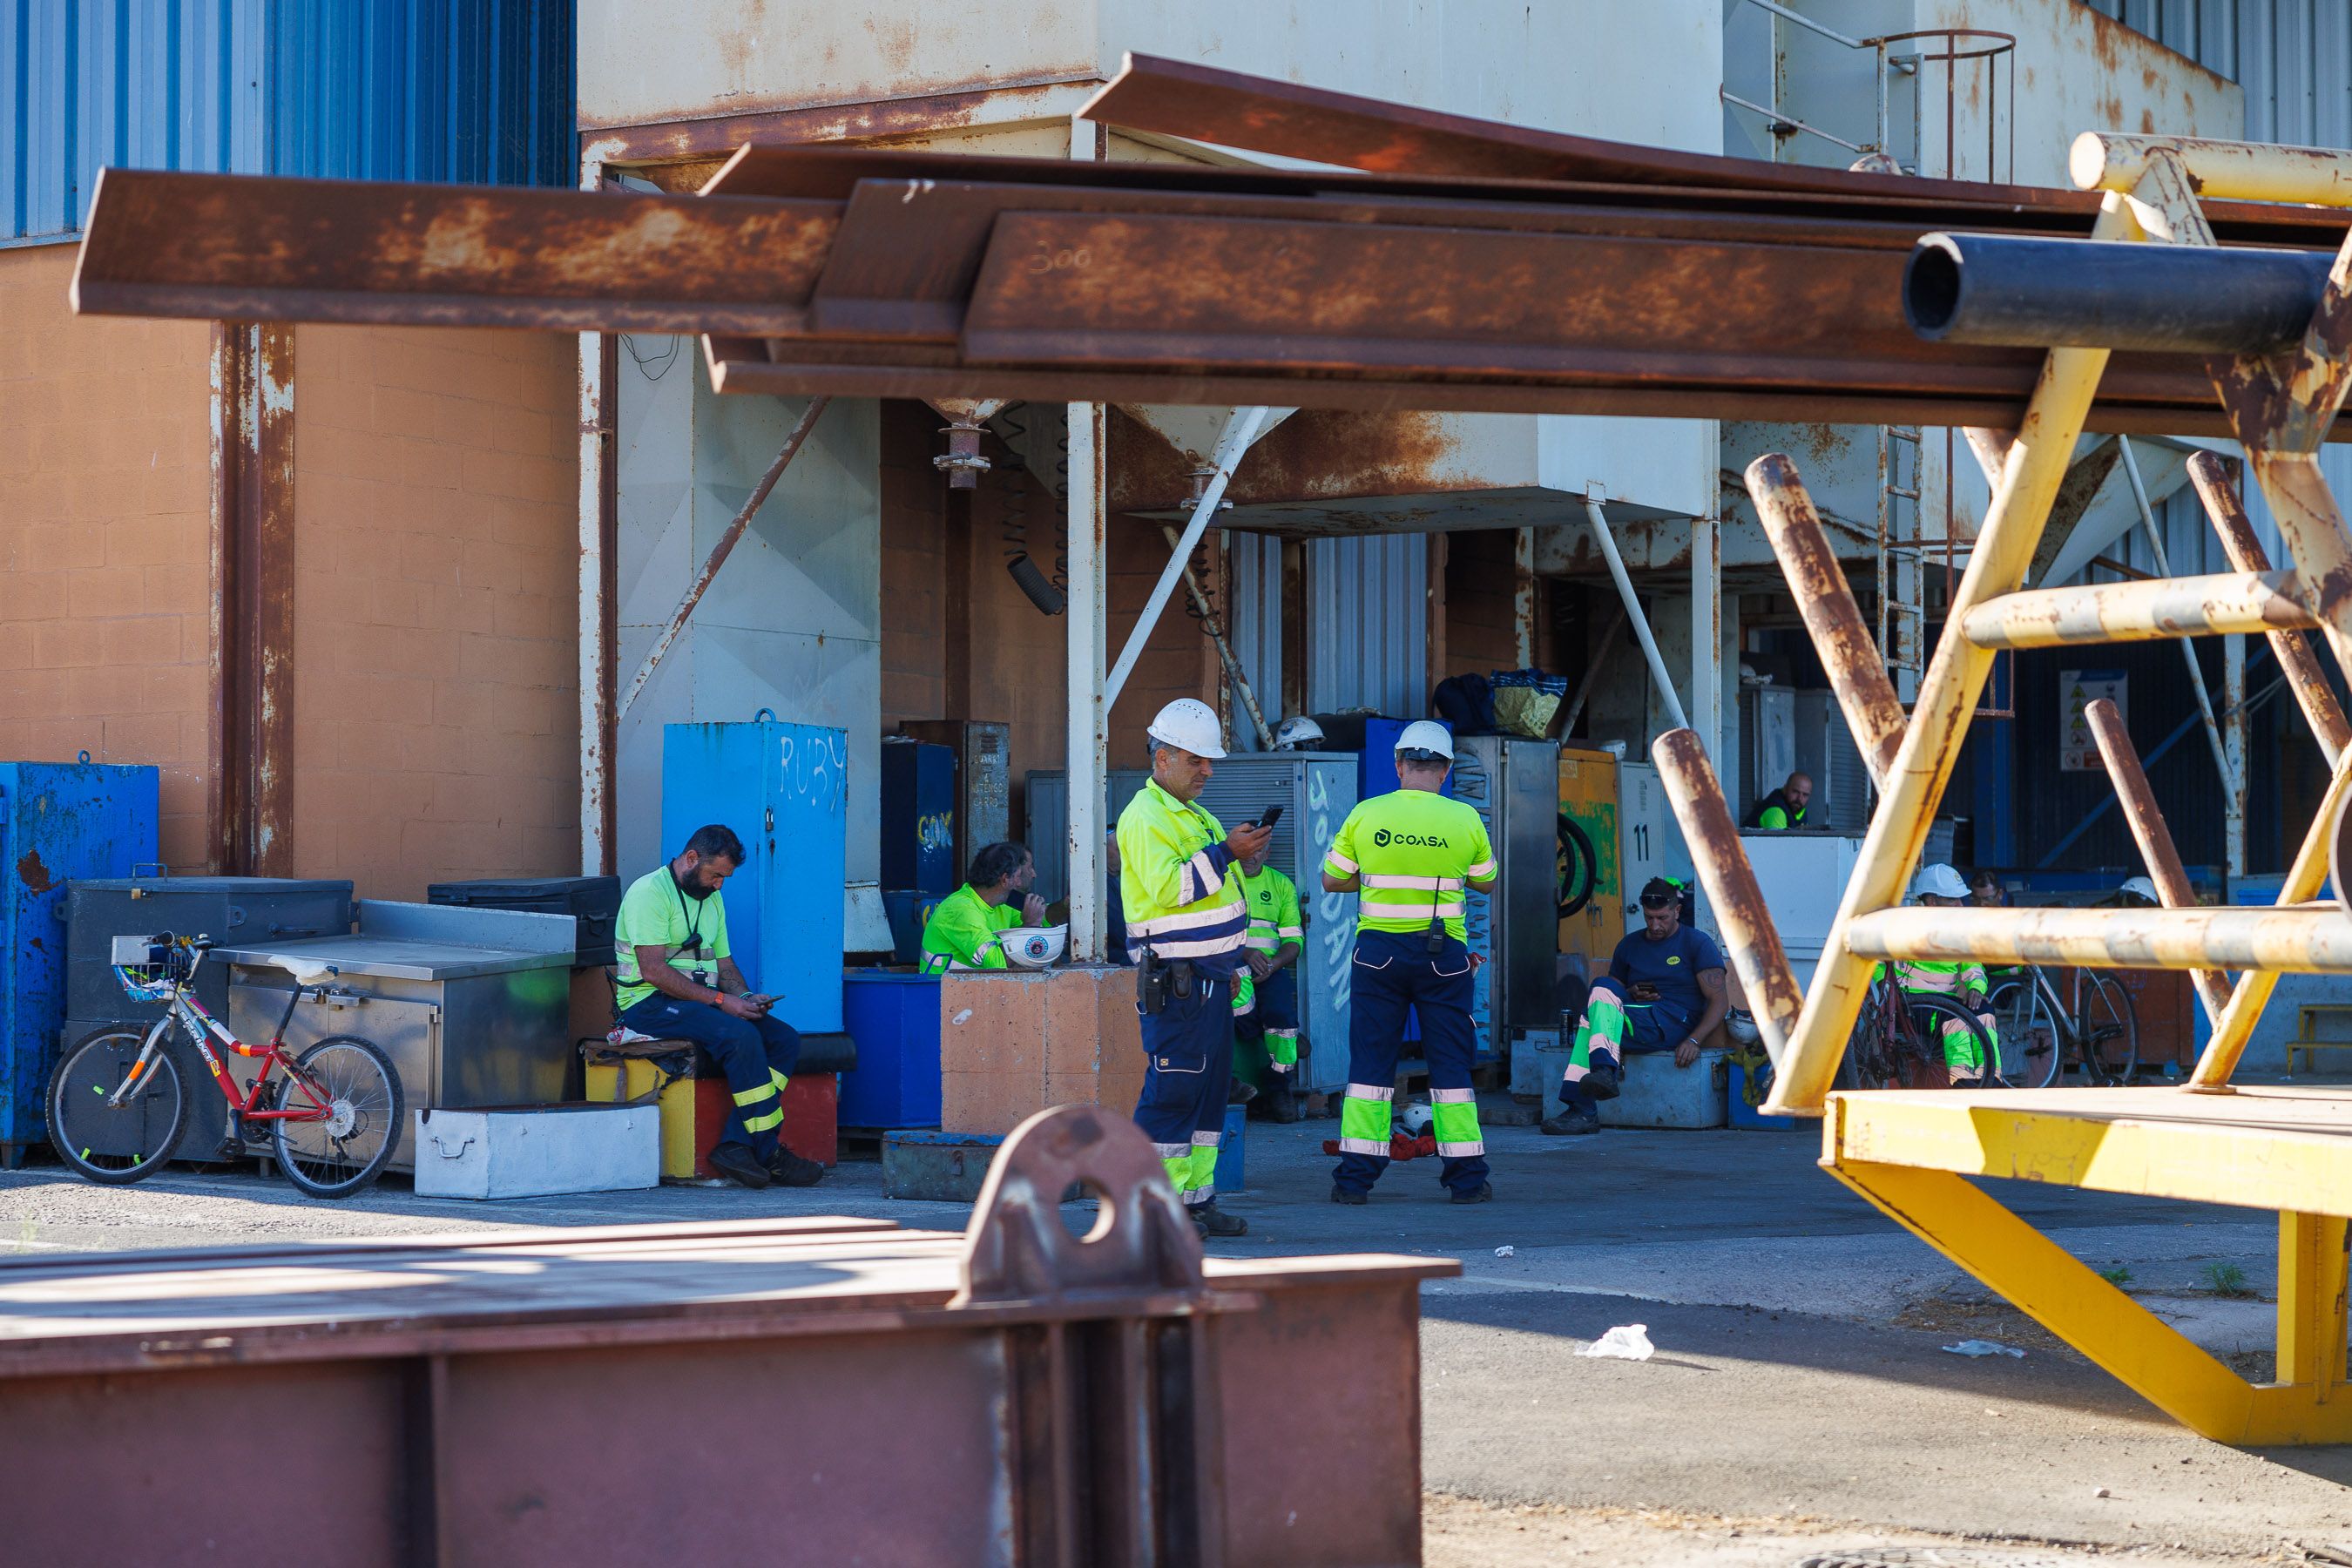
column 1410, row 857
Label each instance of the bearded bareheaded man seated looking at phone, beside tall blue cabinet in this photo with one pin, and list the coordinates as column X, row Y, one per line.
column 679, row 981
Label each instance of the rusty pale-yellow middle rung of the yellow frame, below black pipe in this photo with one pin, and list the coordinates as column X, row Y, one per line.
column 2141, row 612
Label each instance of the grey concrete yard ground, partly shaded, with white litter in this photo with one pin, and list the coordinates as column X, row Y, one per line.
column 1798, row 1402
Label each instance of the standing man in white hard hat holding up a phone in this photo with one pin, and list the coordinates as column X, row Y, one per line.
column 1187, row 925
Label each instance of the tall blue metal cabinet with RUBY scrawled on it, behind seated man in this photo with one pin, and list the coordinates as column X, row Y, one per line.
column 784, row 791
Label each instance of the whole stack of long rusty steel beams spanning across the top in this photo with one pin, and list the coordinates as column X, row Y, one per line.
column 1471, row 267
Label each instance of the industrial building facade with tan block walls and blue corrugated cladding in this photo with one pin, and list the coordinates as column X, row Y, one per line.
column 377, row 601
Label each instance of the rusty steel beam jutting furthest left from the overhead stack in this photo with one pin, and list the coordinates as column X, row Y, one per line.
column 326, row 250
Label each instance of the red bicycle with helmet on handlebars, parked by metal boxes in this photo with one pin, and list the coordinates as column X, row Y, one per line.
column 116, row 1104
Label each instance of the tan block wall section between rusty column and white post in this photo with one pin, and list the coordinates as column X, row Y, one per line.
column 436, row 697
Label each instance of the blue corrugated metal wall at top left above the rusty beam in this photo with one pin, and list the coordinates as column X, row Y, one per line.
column 448, row 91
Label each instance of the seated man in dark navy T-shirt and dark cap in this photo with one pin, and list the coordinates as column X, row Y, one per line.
column 1664, row 993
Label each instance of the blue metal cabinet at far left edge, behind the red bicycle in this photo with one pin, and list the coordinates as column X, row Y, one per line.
column 58, row 822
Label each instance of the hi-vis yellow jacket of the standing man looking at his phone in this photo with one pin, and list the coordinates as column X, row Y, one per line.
column 1175, row 883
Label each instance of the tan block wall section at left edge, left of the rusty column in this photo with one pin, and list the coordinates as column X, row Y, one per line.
column 105, row 540
